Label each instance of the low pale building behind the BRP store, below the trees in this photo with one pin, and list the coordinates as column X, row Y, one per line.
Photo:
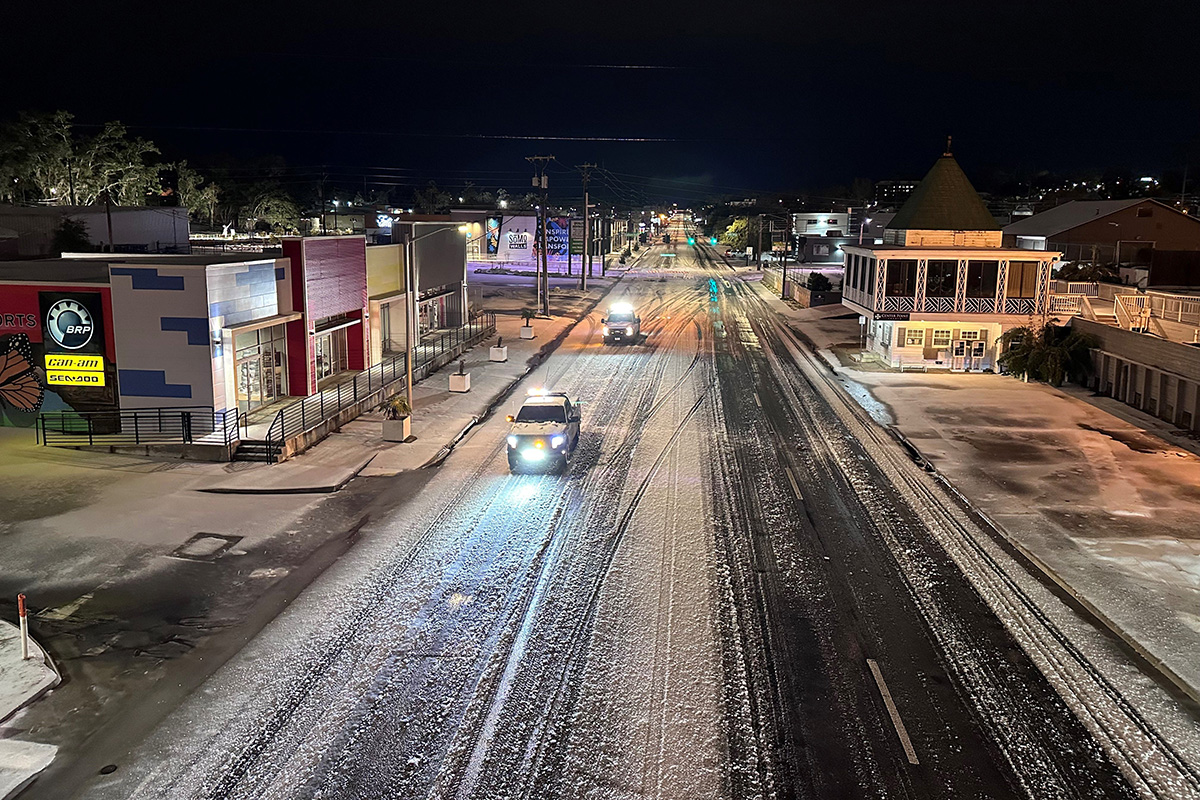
column 29, row 232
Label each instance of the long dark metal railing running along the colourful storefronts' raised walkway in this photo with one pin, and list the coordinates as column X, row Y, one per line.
column 299, row 418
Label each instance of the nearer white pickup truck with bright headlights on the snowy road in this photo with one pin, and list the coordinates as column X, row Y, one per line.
column 545, row 432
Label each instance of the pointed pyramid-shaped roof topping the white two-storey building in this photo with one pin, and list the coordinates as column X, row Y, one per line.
column 944, row 201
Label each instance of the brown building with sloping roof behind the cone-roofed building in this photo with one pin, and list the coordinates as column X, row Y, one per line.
column 1107, row 232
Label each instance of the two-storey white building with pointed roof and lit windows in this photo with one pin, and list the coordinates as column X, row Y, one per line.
column 941, row 290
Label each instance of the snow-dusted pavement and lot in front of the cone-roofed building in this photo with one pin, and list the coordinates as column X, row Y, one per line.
column 1103, row 500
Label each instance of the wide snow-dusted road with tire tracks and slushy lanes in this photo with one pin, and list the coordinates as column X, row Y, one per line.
column 727, row 597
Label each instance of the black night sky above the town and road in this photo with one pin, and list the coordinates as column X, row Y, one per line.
column 743, row 97
